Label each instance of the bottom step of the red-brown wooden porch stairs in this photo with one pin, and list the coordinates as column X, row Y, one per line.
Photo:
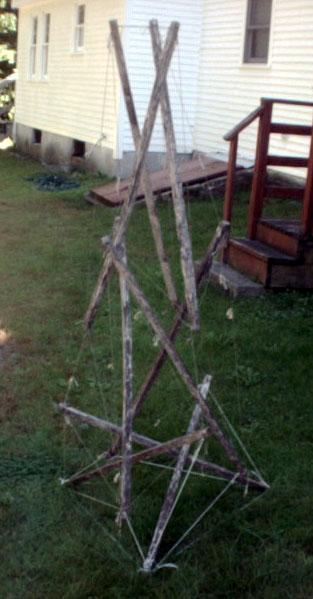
column 256, row 259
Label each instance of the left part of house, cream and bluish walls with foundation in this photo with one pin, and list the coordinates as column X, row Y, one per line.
column 68, row 94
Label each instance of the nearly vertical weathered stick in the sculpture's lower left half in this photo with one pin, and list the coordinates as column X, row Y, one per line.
column 127, row 395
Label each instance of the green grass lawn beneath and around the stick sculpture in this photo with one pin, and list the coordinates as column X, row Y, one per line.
column 58, row 543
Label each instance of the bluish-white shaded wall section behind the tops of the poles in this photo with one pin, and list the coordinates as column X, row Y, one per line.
column 183, row 74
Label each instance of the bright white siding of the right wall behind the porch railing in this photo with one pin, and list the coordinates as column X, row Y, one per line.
column 229, row 90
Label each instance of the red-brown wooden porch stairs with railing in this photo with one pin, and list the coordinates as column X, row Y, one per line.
column 276, row 252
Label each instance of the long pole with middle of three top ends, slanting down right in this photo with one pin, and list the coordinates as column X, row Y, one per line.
column 177, row 189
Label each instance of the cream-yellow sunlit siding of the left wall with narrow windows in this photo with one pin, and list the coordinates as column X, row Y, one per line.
column 80, row 98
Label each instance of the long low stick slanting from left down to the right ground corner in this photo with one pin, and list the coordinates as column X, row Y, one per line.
column 201, row 465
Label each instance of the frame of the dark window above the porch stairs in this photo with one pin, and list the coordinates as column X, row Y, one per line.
column 248, row 31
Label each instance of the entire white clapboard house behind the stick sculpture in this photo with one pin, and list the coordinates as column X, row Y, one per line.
column 230, row 53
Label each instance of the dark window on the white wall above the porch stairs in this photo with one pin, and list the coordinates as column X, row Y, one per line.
column 258, row 31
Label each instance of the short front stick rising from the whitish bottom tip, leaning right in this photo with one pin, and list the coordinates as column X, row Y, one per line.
column 169, row 501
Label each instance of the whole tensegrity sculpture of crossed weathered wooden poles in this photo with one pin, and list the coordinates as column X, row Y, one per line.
column 121, row 455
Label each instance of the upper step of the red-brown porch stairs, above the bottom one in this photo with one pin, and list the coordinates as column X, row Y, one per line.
column 283, row 235
